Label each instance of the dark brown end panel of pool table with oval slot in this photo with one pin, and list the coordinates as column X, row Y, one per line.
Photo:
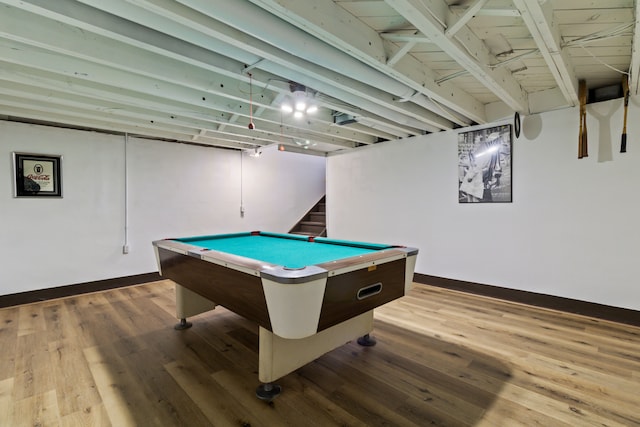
column 340, row 298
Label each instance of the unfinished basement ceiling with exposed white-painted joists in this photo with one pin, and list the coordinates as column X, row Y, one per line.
column 203, row 71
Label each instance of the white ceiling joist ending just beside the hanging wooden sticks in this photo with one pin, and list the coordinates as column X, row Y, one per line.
column 544, row 30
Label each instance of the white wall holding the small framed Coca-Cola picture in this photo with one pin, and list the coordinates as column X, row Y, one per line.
column 173, row 190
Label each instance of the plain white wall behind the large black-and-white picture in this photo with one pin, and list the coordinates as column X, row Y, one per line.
column 571, row 231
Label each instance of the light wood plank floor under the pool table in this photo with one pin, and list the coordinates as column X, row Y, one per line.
column 443, row 358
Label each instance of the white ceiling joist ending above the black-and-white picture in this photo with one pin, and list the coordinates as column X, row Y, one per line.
column 431, row 17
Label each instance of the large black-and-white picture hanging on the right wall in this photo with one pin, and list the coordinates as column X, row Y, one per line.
column 484, row 165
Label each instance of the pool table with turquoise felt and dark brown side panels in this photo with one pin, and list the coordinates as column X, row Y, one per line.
column 308, row 295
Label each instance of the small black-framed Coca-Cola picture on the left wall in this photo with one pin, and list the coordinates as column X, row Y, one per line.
column 37, row 175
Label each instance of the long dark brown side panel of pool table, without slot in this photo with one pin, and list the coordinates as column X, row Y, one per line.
column 239, row 292
